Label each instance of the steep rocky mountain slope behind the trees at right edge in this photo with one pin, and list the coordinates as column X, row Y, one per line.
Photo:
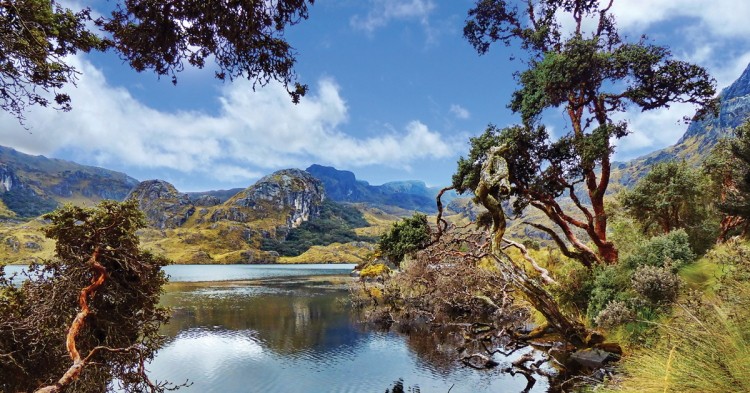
column 700, row 137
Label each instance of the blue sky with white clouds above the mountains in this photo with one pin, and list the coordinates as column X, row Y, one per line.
column 395, row 94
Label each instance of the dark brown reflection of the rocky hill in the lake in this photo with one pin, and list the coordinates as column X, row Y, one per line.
column 286, row 324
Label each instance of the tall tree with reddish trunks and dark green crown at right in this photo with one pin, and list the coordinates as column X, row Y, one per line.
column 591, row 76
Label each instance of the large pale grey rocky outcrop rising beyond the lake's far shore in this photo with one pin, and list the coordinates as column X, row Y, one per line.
column 290, row 195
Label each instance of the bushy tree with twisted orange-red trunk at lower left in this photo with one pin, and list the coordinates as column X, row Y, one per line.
column 91, row 315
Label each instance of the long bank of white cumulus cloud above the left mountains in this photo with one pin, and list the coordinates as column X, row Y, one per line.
column 252, row 133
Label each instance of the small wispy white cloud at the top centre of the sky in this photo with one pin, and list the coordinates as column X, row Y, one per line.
column 384, row 11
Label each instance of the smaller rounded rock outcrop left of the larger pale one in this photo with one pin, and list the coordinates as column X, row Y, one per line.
column 163, row 206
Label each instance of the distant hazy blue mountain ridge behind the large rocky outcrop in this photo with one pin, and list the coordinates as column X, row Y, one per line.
column 343, row 186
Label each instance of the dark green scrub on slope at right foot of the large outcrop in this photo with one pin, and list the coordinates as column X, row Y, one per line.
column 335, row 224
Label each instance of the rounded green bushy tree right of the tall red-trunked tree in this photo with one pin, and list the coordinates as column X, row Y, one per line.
column 673, row 195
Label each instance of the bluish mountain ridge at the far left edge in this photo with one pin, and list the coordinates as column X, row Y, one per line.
column 33, row 185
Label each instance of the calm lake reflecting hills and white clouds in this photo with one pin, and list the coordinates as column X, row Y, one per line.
column 289, row 329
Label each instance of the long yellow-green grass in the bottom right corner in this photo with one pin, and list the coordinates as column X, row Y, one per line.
column 705, row 347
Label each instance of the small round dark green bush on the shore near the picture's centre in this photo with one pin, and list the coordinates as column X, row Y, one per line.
column 404, row 237
